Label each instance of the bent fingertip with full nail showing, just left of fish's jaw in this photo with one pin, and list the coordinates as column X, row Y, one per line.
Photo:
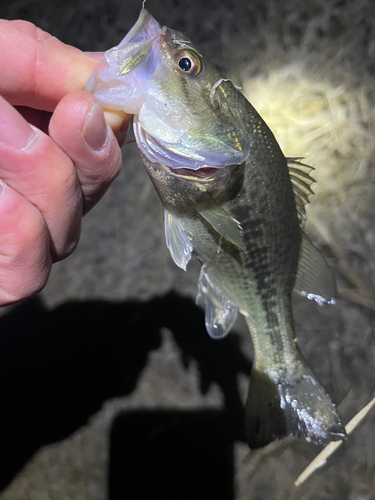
column 79, row 128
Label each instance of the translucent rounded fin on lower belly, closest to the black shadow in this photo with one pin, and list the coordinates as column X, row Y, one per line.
column 220, row 312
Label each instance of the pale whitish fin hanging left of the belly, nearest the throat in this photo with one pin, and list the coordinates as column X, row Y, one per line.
column 177, row 242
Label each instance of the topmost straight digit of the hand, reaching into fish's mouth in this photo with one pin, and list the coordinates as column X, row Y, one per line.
column 37, row 70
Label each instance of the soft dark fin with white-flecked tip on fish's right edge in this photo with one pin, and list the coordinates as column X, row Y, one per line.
column 314, row 279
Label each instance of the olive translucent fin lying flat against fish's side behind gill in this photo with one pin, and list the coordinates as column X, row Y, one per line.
column 221, row 221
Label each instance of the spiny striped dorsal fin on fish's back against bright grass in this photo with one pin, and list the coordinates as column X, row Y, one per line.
column 301, row 180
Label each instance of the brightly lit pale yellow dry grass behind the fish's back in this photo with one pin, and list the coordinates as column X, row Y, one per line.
column 322, row 115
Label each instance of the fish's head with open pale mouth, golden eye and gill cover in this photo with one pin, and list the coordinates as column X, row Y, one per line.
column 186, row 115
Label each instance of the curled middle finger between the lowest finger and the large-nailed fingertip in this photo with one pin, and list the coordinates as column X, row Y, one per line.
column 34, row 166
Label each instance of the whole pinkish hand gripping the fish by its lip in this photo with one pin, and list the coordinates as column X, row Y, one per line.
column 58, row 154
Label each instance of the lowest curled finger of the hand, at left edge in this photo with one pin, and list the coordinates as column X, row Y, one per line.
column 25, row 260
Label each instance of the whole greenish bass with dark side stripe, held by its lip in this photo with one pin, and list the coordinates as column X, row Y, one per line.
column 234, row 200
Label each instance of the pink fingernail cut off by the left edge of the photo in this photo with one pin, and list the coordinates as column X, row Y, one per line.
column 14, row 129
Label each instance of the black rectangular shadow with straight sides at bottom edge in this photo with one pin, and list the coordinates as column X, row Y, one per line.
column 170, row 455
